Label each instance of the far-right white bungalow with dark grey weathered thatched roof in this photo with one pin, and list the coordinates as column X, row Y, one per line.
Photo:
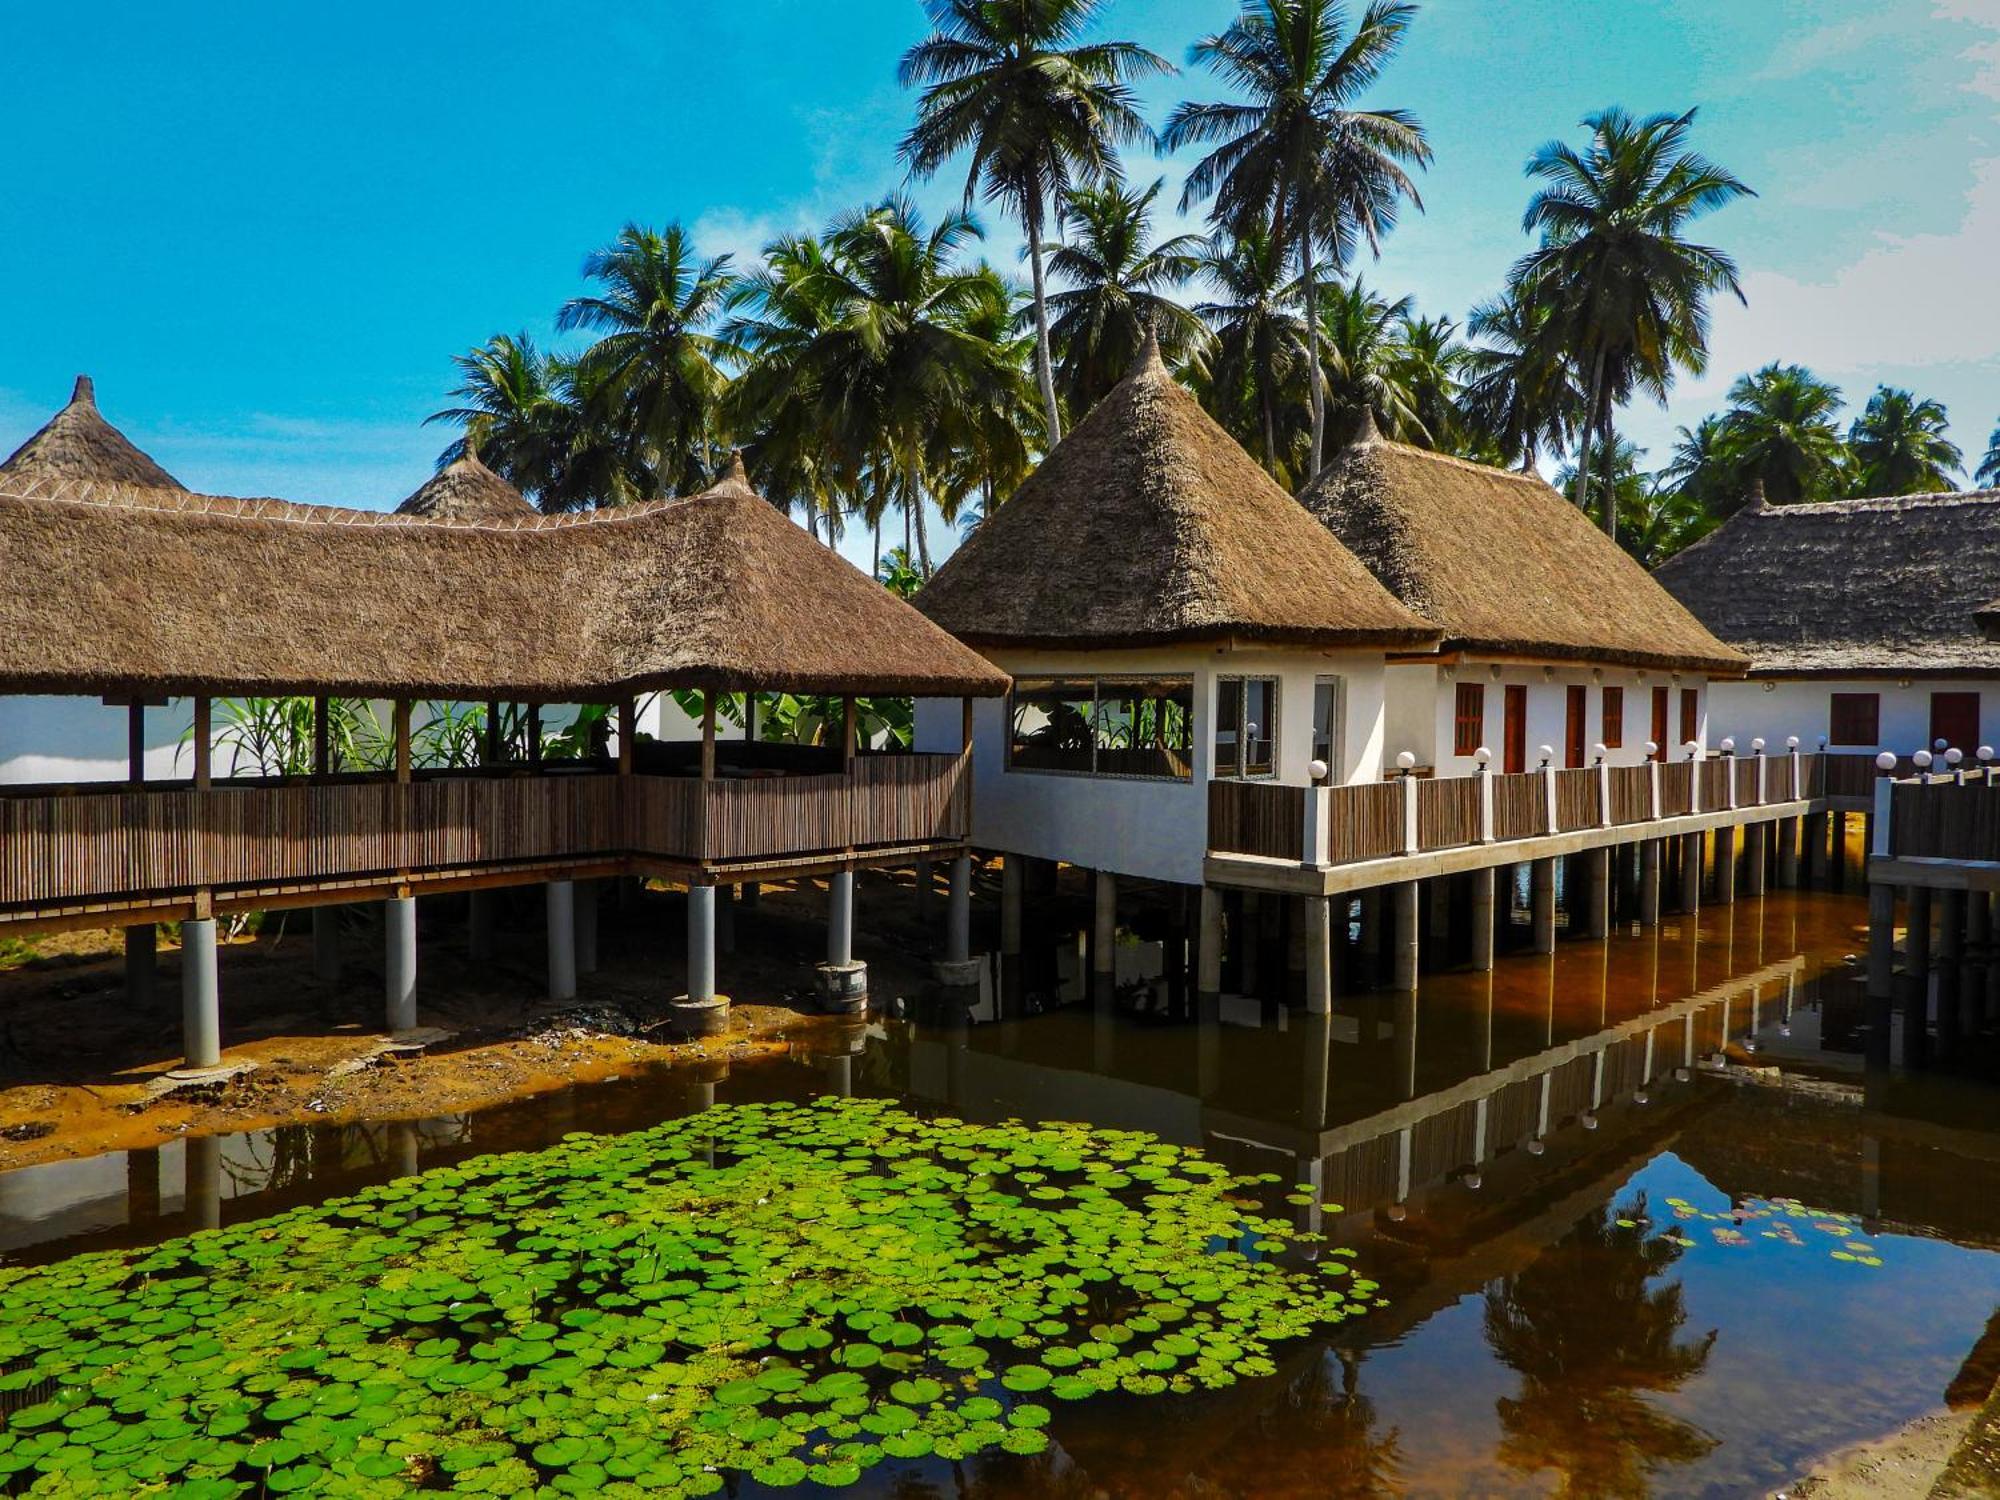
column 1865, row 621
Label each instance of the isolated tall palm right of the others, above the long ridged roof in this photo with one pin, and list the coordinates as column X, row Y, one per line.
column 1625, row 295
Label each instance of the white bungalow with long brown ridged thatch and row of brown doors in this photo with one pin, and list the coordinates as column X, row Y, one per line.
column 1537, row 609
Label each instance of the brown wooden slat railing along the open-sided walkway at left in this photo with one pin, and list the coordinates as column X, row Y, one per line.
column 141, row 843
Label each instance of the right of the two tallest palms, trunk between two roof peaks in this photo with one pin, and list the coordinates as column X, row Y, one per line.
column 1297, row 159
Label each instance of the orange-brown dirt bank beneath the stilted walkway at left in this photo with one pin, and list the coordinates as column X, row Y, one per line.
column 79, row 1059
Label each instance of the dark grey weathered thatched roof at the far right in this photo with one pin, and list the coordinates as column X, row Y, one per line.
column 1851, row 587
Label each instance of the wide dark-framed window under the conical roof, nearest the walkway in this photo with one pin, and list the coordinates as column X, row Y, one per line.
column 1103, row 727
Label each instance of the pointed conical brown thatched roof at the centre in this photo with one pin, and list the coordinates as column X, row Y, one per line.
column 1151, row 525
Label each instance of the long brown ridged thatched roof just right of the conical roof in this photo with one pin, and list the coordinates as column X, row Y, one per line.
column 1501, row 563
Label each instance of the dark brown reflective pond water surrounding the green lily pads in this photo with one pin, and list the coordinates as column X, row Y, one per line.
column 1609, row 1267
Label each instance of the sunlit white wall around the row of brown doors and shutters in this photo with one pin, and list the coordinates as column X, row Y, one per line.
column 1423, row 707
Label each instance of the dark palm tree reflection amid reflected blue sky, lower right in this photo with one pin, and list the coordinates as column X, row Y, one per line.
column 1593, row 1327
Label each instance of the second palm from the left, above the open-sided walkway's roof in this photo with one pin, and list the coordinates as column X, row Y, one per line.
column 659, row 359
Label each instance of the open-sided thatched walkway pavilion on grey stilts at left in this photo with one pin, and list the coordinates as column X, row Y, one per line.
column 137, row 593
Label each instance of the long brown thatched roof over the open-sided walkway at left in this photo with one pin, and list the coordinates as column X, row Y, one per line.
column 179, row 593
